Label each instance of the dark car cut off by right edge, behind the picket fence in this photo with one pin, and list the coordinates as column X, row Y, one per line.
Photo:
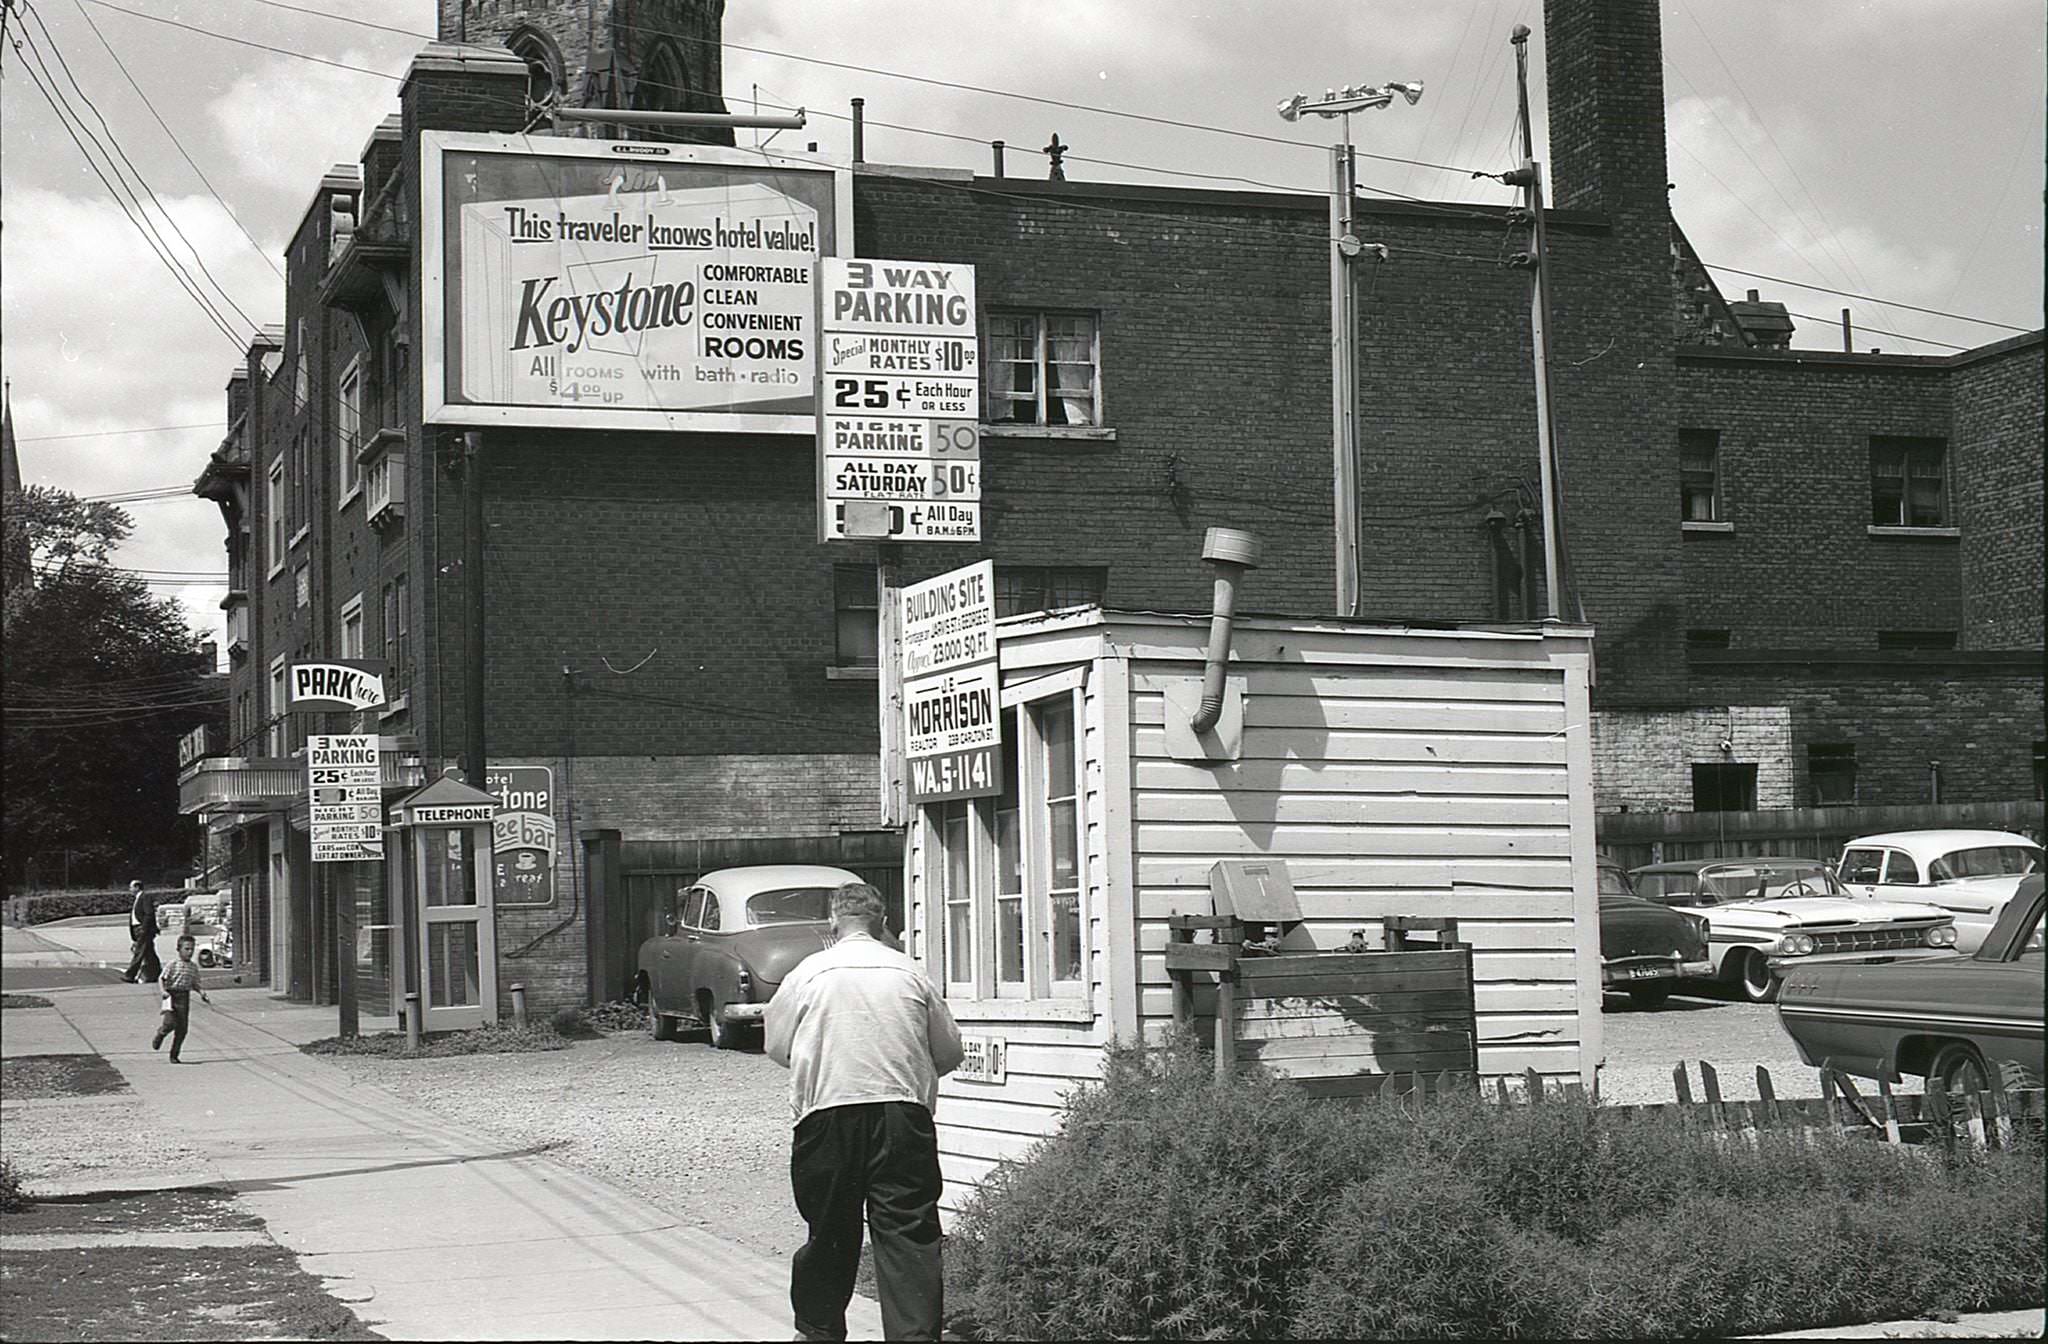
column 1949, row 1021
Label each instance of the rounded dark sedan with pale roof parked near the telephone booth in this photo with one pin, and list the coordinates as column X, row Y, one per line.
column 728, row 941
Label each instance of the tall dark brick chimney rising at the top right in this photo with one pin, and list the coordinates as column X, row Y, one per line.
column 1605, row 65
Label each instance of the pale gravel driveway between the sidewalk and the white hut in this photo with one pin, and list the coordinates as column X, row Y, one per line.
column 697, row 1132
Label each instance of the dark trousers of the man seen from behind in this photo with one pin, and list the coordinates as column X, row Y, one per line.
column 878, row 1159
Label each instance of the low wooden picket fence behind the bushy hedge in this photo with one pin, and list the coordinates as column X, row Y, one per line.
column 1973, row 1118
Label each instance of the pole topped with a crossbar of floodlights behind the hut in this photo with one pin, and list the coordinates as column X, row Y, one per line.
column 1345, row 247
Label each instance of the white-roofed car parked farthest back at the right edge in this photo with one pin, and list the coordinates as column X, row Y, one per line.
column 1969, row 874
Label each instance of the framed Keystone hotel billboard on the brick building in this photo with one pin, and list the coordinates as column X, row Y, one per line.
column 624, row 284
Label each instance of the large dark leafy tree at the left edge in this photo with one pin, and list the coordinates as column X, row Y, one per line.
column 101, row 679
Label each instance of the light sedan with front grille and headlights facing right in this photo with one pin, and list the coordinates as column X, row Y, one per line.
column 1768, row 915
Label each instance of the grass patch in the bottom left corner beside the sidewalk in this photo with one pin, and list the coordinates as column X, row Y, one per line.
column 146, row 1294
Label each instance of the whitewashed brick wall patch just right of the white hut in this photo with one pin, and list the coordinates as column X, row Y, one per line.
column 1644, row 757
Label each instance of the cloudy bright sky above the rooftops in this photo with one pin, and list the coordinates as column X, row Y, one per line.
column 1889, row 149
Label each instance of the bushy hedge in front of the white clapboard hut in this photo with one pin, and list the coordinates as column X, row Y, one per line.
column 1177, row 1208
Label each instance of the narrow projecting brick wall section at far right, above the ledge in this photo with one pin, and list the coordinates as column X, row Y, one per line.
column 1998, row 450
